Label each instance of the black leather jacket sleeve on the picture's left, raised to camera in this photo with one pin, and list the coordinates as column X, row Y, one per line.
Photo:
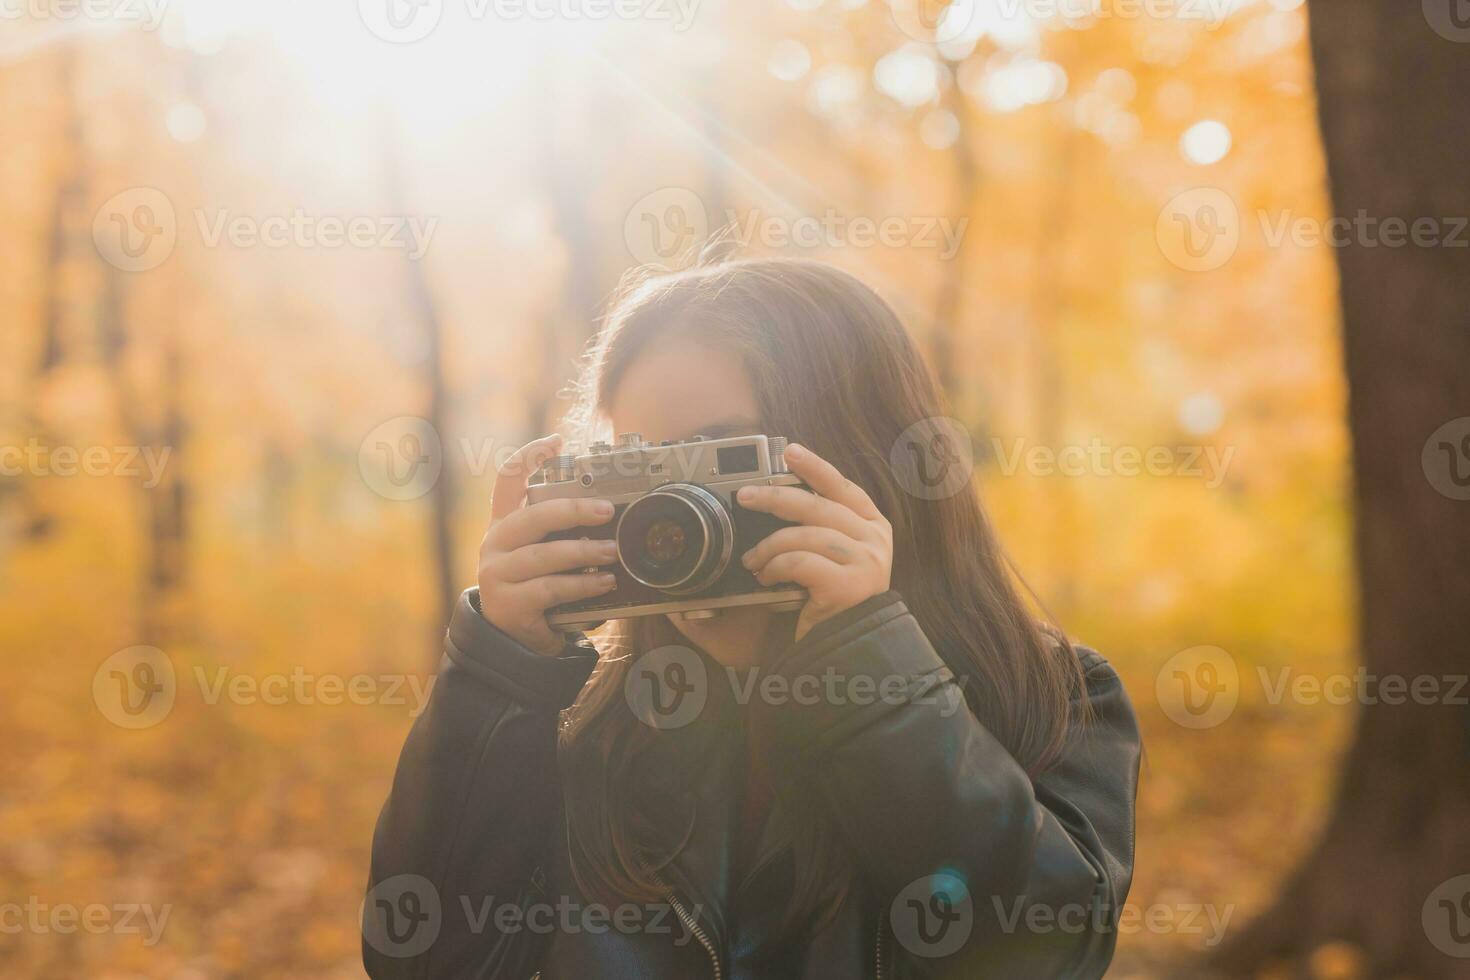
column 474, row 801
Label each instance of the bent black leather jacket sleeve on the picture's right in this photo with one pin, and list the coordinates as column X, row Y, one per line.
column 984, row 871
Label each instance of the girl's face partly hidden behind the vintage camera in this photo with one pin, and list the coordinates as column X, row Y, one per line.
column 674, row 392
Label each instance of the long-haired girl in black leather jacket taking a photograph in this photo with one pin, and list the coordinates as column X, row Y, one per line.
column 909, row 778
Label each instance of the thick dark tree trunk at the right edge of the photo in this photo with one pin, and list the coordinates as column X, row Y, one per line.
column 1396, row 121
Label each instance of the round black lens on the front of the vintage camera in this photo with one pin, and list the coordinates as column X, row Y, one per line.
column 677, row 538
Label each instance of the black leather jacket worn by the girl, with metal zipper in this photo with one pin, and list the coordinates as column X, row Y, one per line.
column 967, row 866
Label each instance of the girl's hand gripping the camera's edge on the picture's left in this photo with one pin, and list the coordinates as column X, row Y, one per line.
column 521, row 577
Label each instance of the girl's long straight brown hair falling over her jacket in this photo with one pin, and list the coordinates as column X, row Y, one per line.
column 834, row 370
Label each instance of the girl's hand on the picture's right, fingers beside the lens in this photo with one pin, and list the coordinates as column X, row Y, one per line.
column 842, row 550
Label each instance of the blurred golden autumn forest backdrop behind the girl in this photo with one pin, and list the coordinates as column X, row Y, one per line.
column 186, row 300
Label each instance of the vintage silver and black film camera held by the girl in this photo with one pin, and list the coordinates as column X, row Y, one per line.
column 678, row 527
